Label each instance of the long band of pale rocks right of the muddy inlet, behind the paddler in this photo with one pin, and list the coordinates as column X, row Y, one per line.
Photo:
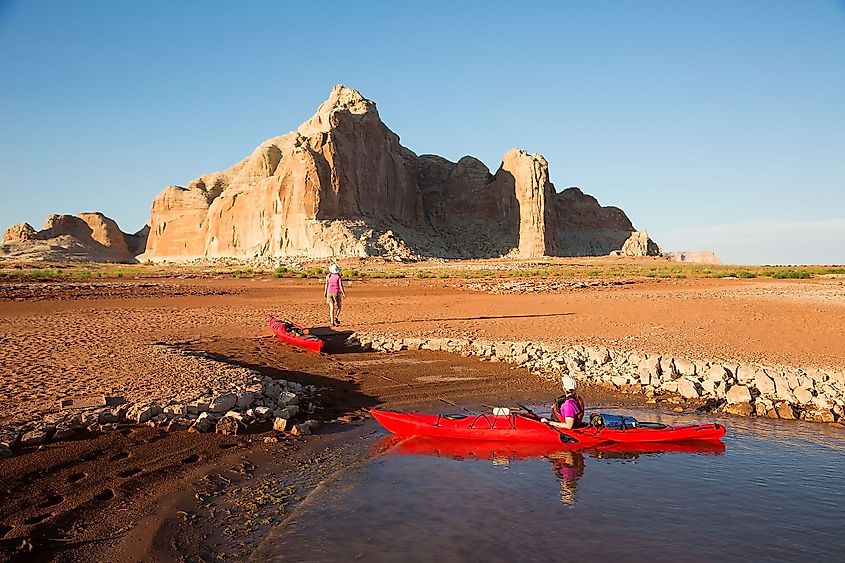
column 743, row 389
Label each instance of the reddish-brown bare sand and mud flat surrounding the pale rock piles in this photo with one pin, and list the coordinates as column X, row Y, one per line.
column 143, row 493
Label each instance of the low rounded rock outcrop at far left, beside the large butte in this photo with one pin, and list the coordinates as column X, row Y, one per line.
column 87, row 236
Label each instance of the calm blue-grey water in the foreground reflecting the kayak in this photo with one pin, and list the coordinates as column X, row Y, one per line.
column 775, row 492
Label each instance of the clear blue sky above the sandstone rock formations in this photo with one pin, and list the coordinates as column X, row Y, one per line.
column 714, row 125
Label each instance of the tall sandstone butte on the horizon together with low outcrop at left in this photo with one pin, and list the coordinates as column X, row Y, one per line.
column 342, row 185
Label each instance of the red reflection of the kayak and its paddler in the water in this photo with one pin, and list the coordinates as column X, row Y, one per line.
column 567, row 460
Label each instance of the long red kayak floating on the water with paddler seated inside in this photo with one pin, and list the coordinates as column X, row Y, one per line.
column 522, row 428
